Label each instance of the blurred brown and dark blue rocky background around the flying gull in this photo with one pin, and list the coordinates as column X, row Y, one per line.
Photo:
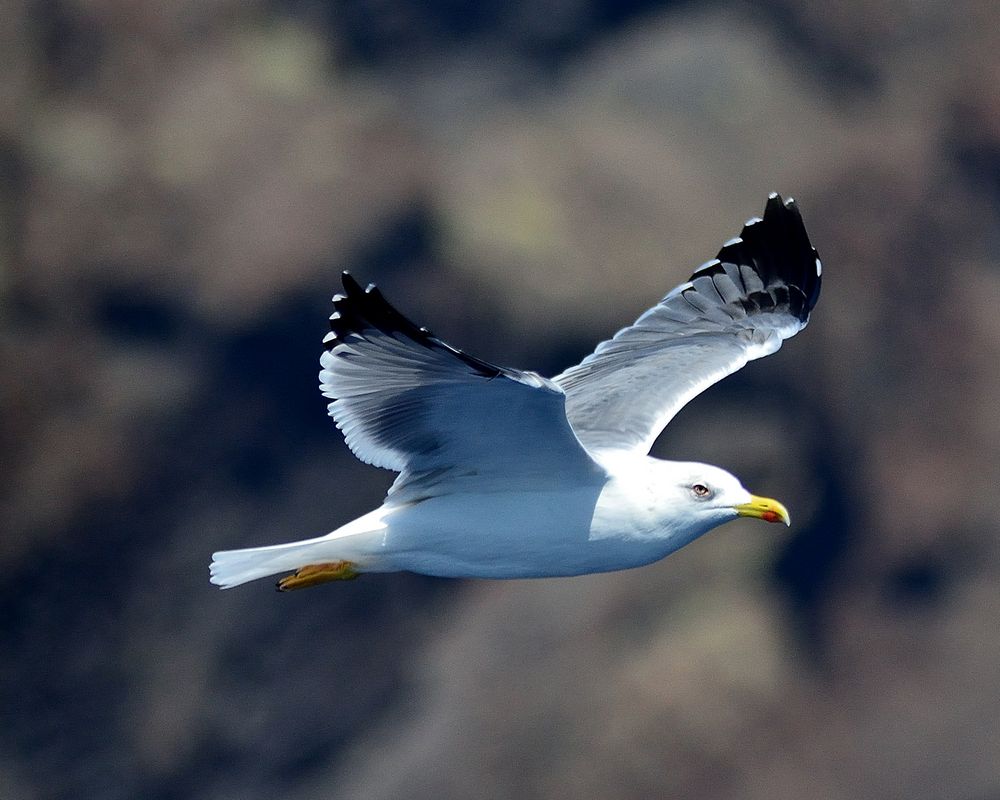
column 181, row 185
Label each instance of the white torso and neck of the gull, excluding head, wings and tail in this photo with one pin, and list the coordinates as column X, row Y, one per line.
column 625, row 520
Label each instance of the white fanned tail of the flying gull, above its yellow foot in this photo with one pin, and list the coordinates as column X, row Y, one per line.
column 352, row 542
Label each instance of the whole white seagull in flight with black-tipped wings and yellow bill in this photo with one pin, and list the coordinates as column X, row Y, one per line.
column 506, row 474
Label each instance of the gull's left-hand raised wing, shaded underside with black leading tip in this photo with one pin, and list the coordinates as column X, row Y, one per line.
column 408, row 402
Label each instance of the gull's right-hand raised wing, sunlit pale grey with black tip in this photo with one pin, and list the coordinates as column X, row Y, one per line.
column 740, row 306
